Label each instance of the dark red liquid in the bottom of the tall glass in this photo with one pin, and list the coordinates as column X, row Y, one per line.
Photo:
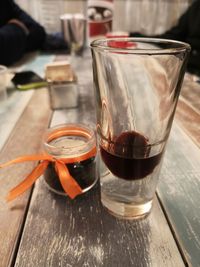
column 128, row 156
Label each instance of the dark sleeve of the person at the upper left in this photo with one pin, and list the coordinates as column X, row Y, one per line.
column 14, row 41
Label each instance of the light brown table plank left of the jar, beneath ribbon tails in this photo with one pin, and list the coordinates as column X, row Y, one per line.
column 24, row 139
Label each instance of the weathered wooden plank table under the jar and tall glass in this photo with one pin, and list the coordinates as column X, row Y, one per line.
column 43, row 229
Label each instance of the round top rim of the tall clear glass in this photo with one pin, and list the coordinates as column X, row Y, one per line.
column 102, row 45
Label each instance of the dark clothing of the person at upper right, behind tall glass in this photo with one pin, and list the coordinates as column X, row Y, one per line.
column 186, row 30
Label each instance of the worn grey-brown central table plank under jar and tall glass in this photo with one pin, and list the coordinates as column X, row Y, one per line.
column 61, row 232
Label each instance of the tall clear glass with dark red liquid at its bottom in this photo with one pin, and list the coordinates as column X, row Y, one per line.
column 137, row 83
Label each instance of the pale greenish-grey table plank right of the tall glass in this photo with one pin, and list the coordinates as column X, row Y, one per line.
column 179, row 191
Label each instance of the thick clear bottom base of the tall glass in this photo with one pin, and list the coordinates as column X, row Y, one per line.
column 129, row 211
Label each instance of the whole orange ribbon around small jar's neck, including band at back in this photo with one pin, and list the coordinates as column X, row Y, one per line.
column 69, row 184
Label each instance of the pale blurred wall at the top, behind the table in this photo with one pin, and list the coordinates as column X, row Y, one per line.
column 145, row 16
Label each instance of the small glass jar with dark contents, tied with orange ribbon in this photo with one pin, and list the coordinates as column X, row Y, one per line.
column 71, row 141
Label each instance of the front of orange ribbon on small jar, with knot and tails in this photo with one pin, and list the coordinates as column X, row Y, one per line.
column 70, row 186
